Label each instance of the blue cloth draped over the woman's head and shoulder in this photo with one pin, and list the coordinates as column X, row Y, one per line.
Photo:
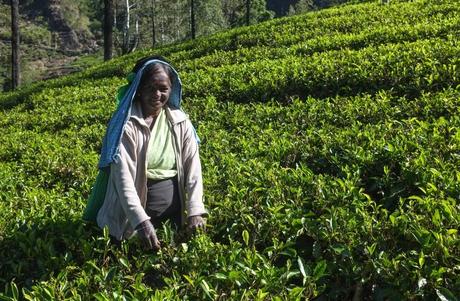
column 115, row 128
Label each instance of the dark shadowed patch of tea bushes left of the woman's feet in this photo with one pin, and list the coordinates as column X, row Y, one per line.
column 34, row 253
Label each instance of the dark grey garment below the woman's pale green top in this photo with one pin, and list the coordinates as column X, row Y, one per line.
column 163, row 202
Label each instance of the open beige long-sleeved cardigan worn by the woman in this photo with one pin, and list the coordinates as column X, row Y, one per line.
column 126, row 196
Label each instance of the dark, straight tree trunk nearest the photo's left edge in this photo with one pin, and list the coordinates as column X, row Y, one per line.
column 15, row 71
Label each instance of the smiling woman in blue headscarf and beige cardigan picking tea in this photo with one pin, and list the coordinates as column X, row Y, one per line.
column 151, row 149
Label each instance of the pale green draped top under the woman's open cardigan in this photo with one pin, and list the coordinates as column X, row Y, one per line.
column 161, row 158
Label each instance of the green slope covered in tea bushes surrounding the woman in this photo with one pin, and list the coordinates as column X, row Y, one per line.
column 331, row 154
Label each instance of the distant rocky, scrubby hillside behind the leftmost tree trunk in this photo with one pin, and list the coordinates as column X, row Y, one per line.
column 52, row 37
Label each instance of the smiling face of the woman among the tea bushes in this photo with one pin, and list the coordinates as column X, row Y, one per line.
column 154, row 94
